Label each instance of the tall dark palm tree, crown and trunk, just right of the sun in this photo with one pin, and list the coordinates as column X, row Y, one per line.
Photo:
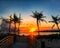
column 39, row 17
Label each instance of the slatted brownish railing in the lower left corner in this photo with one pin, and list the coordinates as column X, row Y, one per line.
column 6, row 42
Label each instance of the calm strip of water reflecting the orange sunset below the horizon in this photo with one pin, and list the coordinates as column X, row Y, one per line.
column 34, row 33
